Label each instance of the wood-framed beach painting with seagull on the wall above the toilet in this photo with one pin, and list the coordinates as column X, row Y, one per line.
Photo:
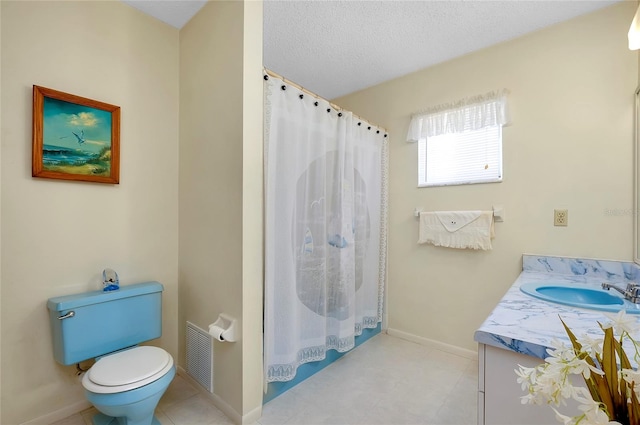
column 75, row 138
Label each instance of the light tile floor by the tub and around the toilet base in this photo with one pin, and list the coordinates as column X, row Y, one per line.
column 386, row 381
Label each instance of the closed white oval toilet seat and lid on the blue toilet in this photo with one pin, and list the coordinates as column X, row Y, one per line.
column 127, row 370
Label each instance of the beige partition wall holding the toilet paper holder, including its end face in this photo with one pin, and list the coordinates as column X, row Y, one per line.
column 220, row 127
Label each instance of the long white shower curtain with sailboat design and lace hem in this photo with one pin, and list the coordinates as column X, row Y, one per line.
column 325, row 231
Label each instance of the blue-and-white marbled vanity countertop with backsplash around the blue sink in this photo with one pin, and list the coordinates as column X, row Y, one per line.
column 527, row 325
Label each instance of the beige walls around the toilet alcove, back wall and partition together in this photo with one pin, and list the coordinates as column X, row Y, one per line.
column 68, row 232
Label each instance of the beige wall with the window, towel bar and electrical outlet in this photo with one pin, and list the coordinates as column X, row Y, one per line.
column 570, row 146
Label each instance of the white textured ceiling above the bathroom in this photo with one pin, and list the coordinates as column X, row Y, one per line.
column 334, row 48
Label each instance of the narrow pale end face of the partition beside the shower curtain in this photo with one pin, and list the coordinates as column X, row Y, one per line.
column 252, row 214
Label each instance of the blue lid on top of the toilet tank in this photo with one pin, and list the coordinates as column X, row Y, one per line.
column 94, row 297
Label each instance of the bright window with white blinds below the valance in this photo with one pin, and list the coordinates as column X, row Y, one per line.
column 473, row 156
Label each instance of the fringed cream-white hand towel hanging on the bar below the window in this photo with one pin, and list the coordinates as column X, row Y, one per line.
column 457, row 229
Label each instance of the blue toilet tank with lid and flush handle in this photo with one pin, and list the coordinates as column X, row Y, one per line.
column 91, row 324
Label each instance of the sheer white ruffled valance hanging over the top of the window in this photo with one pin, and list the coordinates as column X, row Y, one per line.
column 474, row 113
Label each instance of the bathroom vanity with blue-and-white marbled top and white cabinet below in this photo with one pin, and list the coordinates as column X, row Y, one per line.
column 521, row 327
